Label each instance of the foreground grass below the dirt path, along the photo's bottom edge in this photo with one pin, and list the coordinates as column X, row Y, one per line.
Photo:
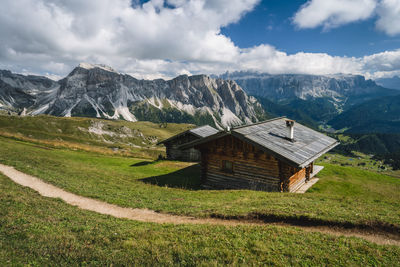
column 39, row 231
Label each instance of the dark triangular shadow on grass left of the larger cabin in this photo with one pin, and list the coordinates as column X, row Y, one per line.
column 186, row 178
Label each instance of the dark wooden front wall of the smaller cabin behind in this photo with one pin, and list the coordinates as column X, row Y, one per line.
column 174, row 153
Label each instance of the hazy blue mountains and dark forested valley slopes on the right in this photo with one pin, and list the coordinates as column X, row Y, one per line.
column 368, row 113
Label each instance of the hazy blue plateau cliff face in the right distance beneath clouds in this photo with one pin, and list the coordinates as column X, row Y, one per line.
column 341, row 89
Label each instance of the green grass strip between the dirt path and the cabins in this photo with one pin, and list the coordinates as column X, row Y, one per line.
column 343, row 194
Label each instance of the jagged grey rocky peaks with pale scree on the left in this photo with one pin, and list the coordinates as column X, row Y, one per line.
column 99, row 91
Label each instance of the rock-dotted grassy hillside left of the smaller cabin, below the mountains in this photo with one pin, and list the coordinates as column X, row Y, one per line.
column 138, row 138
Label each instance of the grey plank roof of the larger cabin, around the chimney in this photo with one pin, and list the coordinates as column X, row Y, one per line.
column 271, row 136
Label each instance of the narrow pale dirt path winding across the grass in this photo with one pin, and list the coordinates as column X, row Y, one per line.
column 145, row 215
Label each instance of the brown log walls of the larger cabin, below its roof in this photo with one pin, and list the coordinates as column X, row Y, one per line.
column 252, row 168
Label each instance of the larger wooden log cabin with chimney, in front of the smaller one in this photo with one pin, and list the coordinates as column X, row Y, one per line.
column 274, row 155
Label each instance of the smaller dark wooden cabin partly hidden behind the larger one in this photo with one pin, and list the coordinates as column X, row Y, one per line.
column 173, row 144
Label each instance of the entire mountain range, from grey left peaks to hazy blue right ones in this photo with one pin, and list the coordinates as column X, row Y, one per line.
column 347, row 102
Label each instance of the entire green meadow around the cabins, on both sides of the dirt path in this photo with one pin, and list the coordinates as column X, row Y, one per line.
column 40, row 231
